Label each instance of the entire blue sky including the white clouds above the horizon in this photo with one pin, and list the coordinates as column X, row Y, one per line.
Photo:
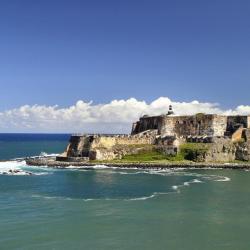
column 57, row 56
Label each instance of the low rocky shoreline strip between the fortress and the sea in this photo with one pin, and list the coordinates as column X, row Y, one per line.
column 51, row 162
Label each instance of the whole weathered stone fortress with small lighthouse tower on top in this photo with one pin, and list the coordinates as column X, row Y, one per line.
column 228, row 138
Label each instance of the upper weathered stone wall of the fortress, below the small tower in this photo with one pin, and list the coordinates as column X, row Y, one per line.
column 196, row 125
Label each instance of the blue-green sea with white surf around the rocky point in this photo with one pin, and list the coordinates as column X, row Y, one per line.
column 107, row 208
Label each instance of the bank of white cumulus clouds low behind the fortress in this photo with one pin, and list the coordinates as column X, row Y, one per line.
column 113, row 117
